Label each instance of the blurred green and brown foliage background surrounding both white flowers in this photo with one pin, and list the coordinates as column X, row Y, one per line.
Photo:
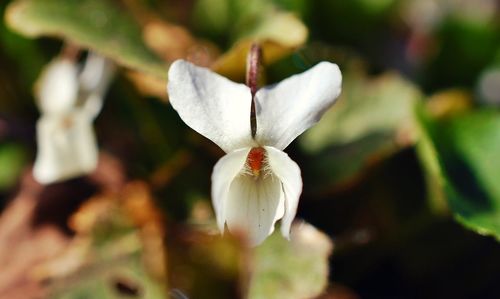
column 401, row 196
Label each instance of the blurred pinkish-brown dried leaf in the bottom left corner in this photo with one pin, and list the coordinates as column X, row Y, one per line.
column 24, row 245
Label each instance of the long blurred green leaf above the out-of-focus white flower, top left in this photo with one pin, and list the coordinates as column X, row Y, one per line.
column 99, row 25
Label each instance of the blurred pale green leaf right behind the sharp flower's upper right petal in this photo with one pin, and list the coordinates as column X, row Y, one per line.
column 373, row 118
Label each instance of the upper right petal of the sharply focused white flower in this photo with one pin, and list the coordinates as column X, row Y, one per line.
column 292, row 106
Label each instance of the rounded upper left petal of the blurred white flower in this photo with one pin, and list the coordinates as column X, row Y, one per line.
column 57, row 88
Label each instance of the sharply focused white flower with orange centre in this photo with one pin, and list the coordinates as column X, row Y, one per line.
column 255, row 183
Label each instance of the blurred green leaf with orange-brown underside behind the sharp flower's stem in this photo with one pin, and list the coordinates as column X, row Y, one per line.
column 245, row 22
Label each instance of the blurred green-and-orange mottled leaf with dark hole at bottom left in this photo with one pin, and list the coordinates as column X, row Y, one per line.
column 111, row 257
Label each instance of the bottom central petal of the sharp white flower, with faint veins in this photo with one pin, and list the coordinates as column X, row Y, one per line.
column 254, row 205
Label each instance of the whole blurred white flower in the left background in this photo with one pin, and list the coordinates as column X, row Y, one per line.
column 69, row 100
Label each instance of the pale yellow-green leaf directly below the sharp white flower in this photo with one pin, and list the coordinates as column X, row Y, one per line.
column 291, row 269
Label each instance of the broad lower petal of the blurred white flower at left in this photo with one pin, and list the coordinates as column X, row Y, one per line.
column 66, row 147
